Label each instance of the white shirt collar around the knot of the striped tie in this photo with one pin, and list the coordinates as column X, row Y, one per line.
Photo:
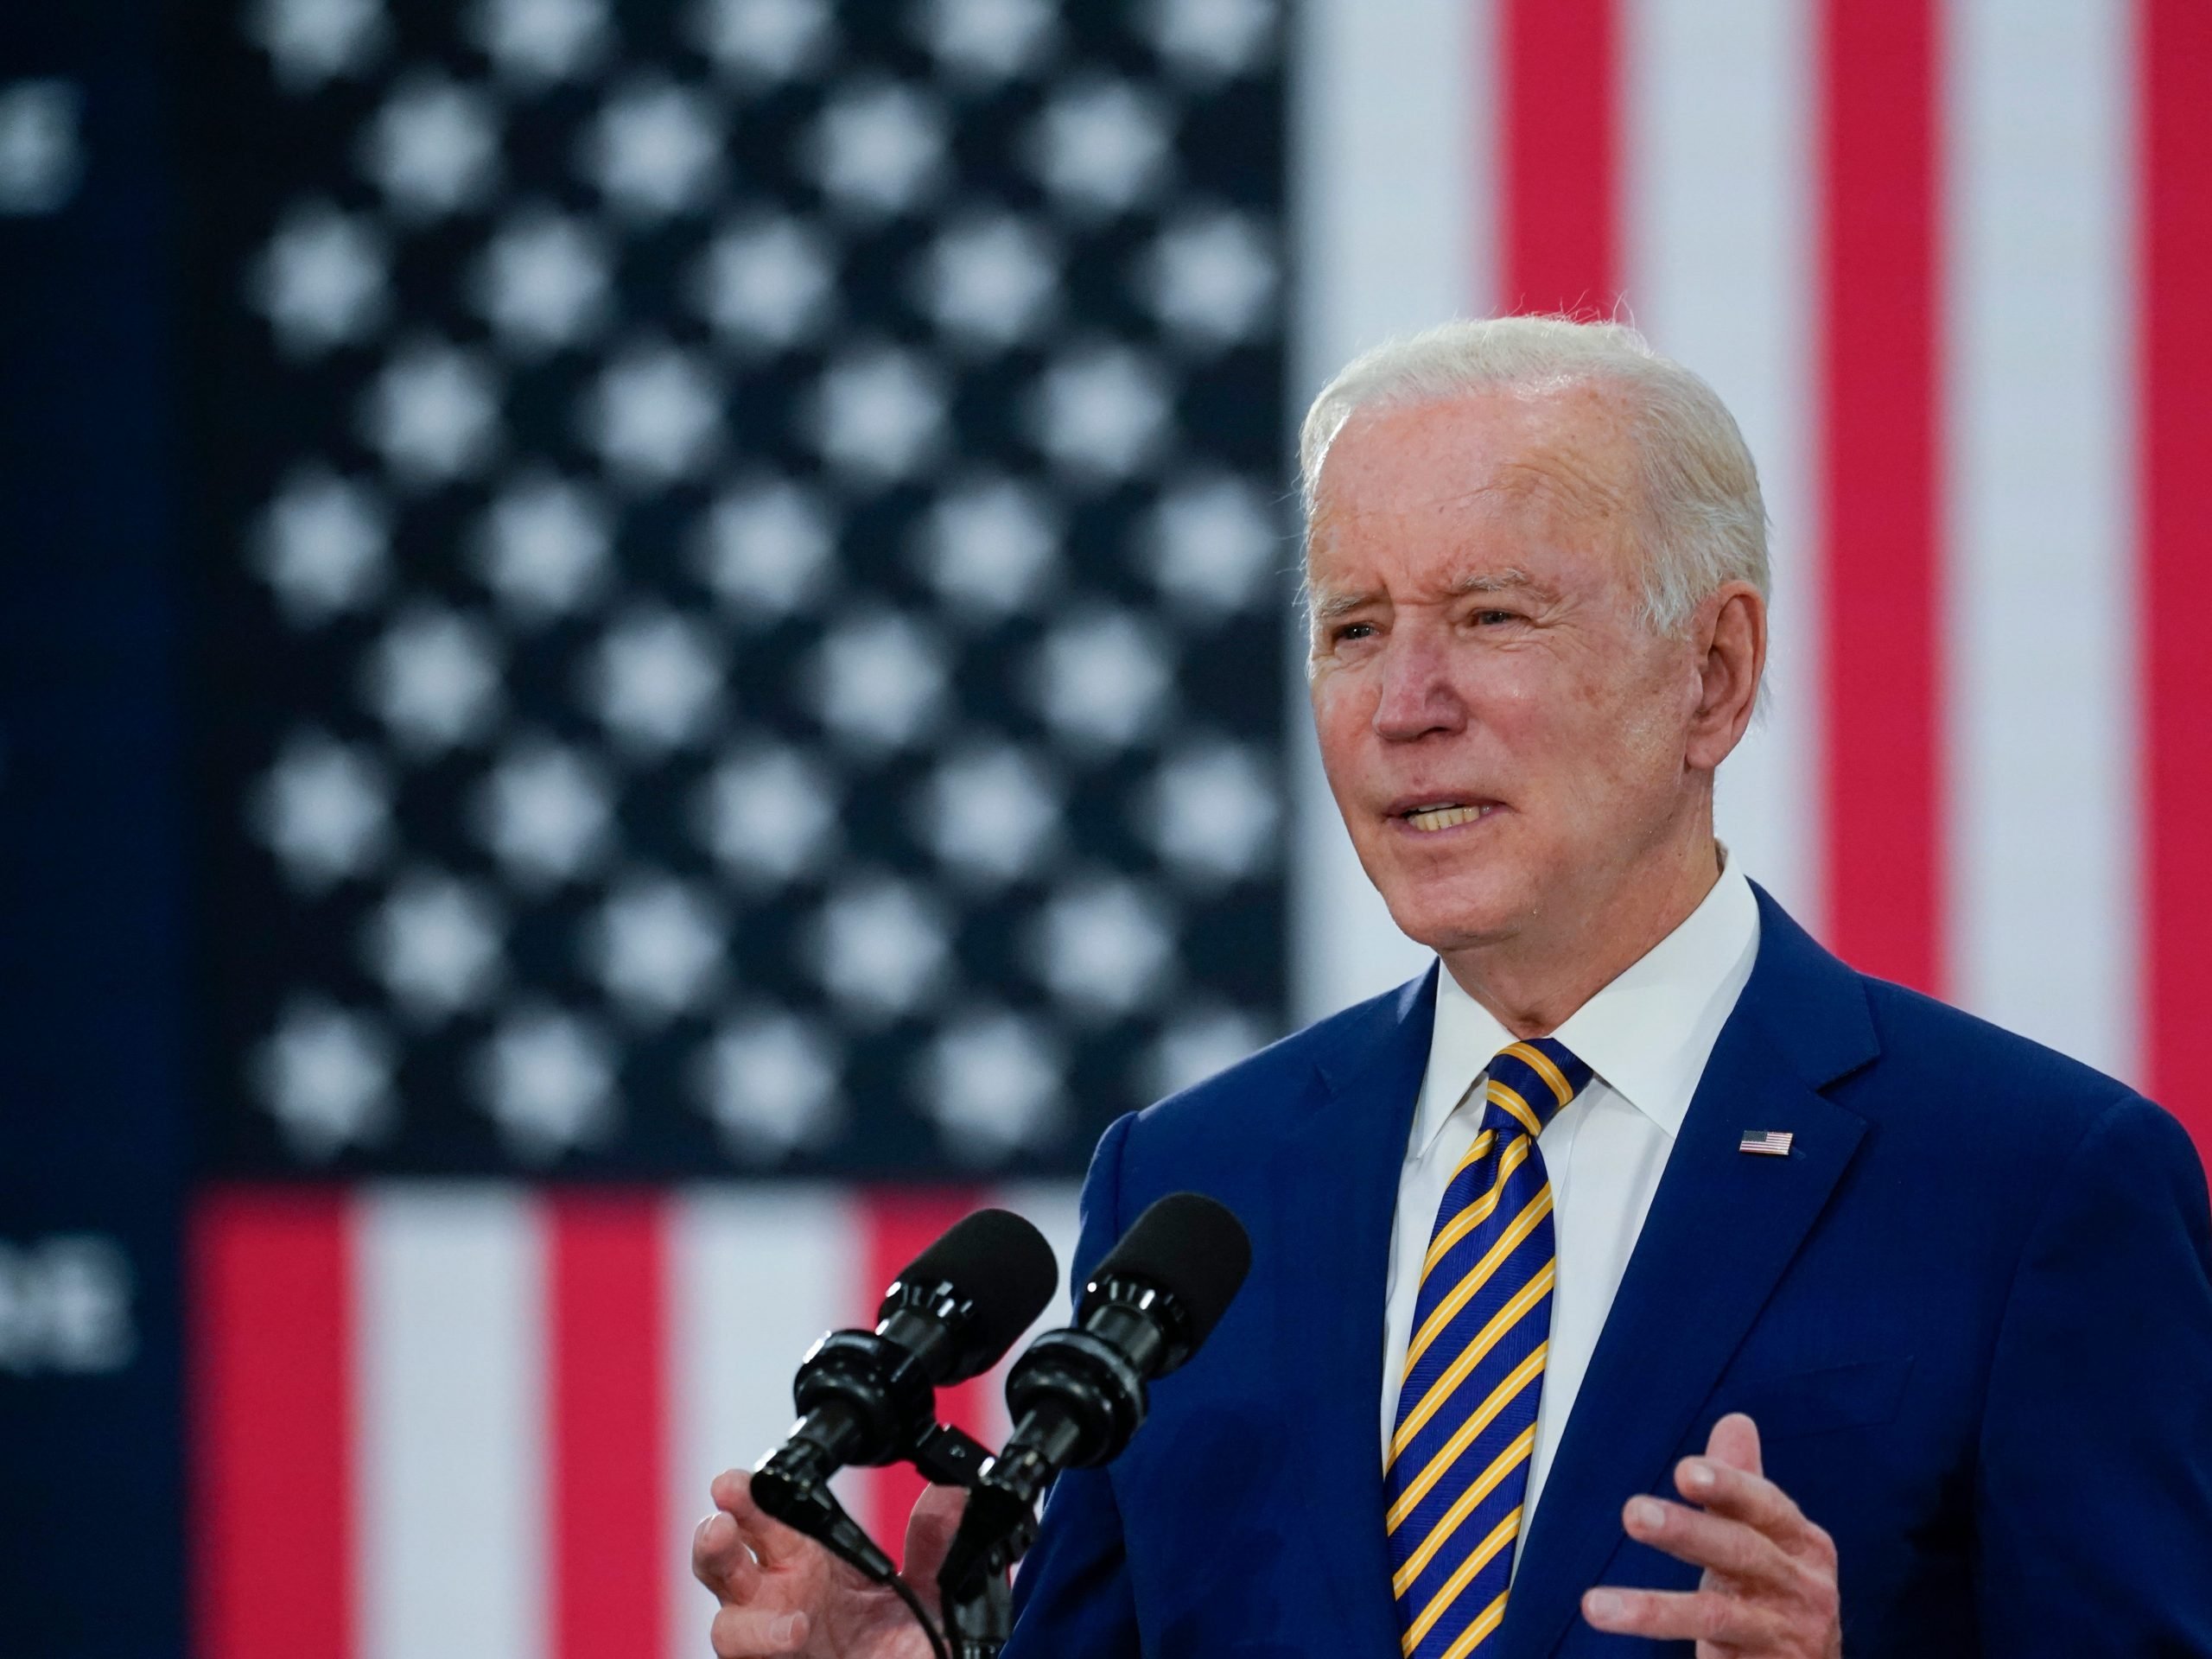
column 1647, row 1034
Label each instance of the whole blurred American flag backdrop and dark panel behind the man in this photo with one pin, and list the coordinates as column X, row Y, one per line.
column 649, row 647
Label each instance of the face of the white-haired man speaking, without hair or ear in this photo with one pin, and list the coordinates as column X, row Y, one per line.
column 1503, row 731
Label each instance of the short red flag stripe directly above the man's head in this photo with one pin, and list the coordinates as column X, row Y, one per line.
column 1561, row 145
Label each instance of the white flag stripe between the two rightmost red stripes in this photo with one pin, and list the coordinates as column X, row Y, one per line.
column 2041, row 587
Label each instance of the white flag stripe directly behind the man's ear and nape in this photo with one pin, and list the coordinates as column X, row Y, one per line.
column 1718, row 198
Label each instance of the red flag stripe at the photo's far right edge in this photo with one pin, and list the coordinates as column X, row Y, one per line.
column 2176, row 362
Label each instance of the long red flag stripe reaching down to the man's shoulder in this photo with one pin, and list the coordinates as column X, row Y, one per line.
column 1884, row 583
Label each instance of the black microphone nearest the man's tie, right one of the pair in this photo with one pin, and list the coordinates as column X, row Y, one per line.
column 1078, row 1395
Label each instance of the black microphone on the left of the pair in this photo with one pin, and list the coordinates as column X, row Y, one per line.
column 868, row 1397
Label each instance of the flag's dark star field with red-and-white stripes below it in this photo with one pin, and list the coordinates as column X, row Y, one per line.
column 742, row 638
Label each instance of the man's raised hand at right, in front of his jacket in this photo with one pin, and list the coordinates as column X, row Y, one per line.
column 1771, row 1574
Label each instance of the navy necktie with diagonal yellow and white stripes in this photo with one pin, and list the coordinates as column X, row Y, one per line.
column 1474, row 1368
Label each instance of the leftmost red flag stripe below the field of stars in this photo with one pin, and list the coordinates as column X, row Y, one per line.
column 273, row 1412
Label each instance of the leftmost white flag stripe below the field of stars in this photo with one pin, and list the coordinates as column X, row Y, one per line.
column 452, row 1410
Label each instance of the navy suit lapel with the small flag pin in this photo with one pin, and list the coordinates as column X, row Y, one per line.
column 1720, row 1235
